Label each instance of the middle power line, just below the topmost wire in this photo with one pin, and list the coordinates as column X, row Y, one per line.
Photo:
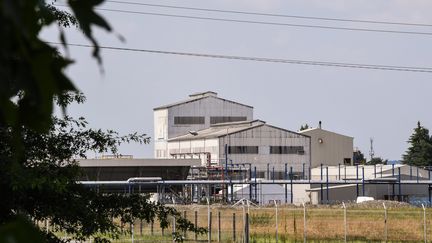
column 264, row 23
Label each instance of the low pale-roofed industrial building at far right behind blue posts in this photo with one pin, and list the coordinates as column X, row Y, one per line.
column 377, row 181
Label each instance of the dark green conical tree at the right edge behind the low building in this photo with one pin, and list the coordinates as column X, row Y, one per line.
column 420, row 151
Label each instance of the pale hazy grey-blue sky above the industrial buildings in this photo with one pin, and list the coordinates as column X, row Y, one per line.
column 385, row 105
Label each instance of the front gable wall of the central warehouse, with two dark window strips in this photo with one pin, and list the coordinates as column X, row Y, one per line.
column 264, row 137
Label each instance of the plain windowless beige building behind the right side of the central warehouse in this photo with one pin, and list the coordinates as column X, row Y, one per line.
column 329, row 148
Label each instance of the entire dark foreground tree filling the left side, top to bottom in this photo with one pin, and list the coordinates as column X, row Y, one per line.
column 38, row 172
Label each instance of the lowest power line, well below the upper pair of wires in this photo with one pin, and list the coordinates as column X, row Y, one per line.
column 264, row 59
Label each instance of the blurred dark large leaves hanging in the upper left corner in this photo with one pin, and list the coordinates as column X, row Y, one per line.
column 32, row 72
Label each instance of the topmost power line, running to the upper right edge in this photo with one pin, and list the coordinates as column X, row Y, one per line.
column 271, row 14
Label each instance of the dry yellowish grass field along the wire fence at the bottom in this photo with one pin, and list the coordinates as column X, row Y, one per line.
column 323, row 224
